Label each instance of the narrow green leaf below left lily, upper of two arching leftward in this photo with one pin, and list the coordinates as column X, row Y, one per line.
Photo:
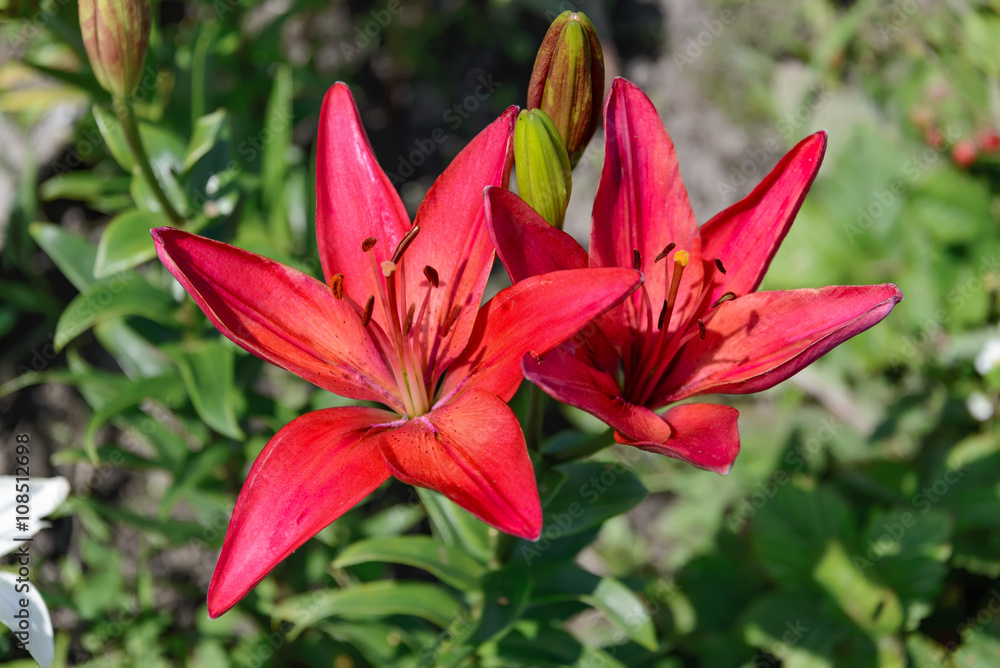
column 450, row 564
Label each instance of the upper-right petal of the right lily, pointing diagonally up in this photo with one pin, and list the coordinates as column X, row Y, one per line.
column 747, row 235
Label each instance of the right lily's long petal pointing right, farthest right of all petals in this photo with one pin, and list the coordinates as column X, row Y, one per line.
column 758, row 340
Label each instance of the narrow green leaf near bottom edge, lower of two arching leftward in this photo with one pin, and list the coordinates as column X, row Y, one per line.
column 371, row 599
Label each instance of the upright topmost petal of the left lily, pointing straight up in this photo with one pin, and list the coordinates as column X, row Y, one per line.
column 354, row 200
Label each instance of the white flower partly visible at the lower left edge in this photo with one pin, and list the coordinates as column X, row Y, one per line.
column 44, row 495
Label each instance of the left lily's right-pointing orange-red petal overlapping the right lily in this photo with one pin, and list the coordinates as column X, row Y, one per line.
column 533, row 316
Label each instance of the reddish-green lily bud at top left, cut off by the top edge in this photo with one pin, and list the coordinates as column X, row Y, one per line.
column 116, row 36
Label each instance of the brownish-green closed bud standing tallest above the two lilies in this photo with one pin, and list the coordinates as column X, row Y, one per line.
column 568, row 80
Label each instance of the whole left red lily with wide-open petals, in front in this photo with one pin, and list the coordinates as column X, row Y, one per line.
column 397, row 322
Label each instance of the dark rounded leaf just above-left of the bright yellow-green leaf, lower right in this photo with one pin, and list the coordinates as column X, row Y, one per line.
column 790, row 533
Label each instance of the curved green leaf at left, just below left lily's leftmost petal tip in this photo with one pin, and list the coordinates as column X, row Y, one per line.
column 125, row 294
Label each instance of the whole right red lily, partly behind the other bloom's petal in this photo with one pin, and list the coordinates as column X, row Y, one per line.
column 697, row 326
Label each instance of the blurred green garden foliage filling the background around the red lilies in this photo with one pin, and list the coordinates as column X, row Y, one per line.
column 859, row 526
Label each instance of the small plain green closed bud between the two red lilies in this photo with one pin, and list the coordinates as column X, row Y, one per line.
column 544, row 179
